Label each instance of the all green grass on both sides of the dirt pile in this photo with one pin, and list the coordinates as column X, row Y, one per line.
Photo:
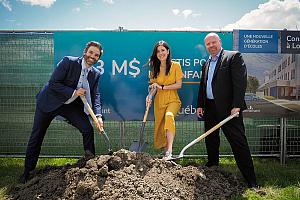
column 278, row 181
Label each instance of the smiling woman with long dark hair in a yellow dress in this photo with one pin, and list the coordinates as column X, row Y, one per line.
column 166, row 76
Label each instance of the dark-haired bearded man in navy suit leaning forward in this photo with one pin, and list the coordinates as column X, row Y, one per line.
column 72, row 78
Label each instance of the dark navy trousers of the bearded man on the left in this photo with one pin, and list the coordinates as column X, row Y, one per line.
column 74, row 113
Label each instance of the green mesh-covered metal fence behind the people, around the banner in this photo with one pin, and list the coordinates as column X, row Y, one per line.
column 25, row 66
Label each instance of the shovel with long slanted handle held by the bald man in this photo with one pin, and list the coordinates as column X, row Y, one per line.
column 204, row 135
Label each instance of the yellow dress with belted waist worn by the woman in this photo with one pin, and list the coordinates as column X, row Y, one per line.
column 166, row 105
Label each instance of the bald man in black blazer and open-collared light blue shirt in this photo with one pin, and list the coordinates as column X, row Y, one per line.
column 221, row 93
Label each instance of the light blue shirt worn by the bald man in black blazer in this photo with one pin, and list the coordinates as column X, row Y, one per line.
column 211, row 70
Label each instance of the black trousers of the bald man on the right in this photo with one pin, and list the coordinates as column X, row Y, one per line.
column 234, row 132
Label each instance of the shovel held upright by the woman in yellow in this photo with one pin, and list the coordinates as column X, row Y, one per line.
column 140, row 146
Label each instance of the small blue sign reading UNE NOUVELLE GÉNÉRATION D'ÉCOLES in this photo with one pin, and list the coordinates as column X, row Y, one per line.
column 258, row 41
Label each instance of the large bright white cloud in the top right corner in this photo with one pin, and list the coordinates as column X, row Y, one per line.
column 274, row 14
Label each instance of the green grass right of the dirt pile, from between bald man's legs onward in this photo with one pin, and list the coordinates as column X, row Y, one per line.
column 278, row 181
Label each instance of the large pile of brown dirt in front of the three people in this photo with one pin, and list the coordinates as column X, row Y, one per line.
column 129, row 175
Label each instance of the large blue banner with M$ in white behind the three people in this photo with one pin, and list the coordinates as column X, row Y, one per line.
column 124, row 79
